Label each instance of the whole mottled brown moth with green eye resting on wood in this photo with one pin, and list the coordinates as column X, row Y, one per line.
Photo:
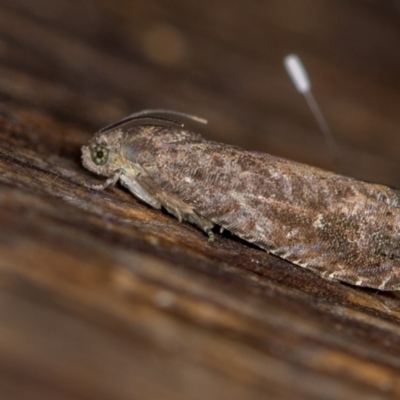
column 339, row 227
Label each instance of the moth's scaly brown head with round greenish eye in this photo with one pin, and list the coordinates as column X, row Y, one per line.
column 102, row 155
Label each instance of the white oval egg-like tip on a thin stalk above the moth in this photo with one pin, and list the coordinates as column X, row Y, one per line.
column 301, row 81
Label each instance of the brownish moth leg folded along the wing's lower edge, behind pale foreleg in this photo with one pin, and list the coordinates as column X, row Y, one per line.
column 175, row 206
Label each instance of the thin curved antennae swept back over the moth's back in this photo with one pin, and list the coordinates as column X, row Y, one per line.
column 148, row 117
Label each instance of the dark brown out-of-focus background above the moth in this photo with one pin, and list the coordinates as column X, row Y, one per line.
column 90, row 62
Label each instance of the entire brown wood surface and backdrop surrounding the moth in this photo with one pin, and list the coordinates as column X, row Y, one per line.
column 102, row 297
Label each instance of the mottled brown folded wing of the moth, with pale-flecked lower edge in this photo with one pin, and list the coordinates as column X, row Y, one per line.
column 321, row 221
